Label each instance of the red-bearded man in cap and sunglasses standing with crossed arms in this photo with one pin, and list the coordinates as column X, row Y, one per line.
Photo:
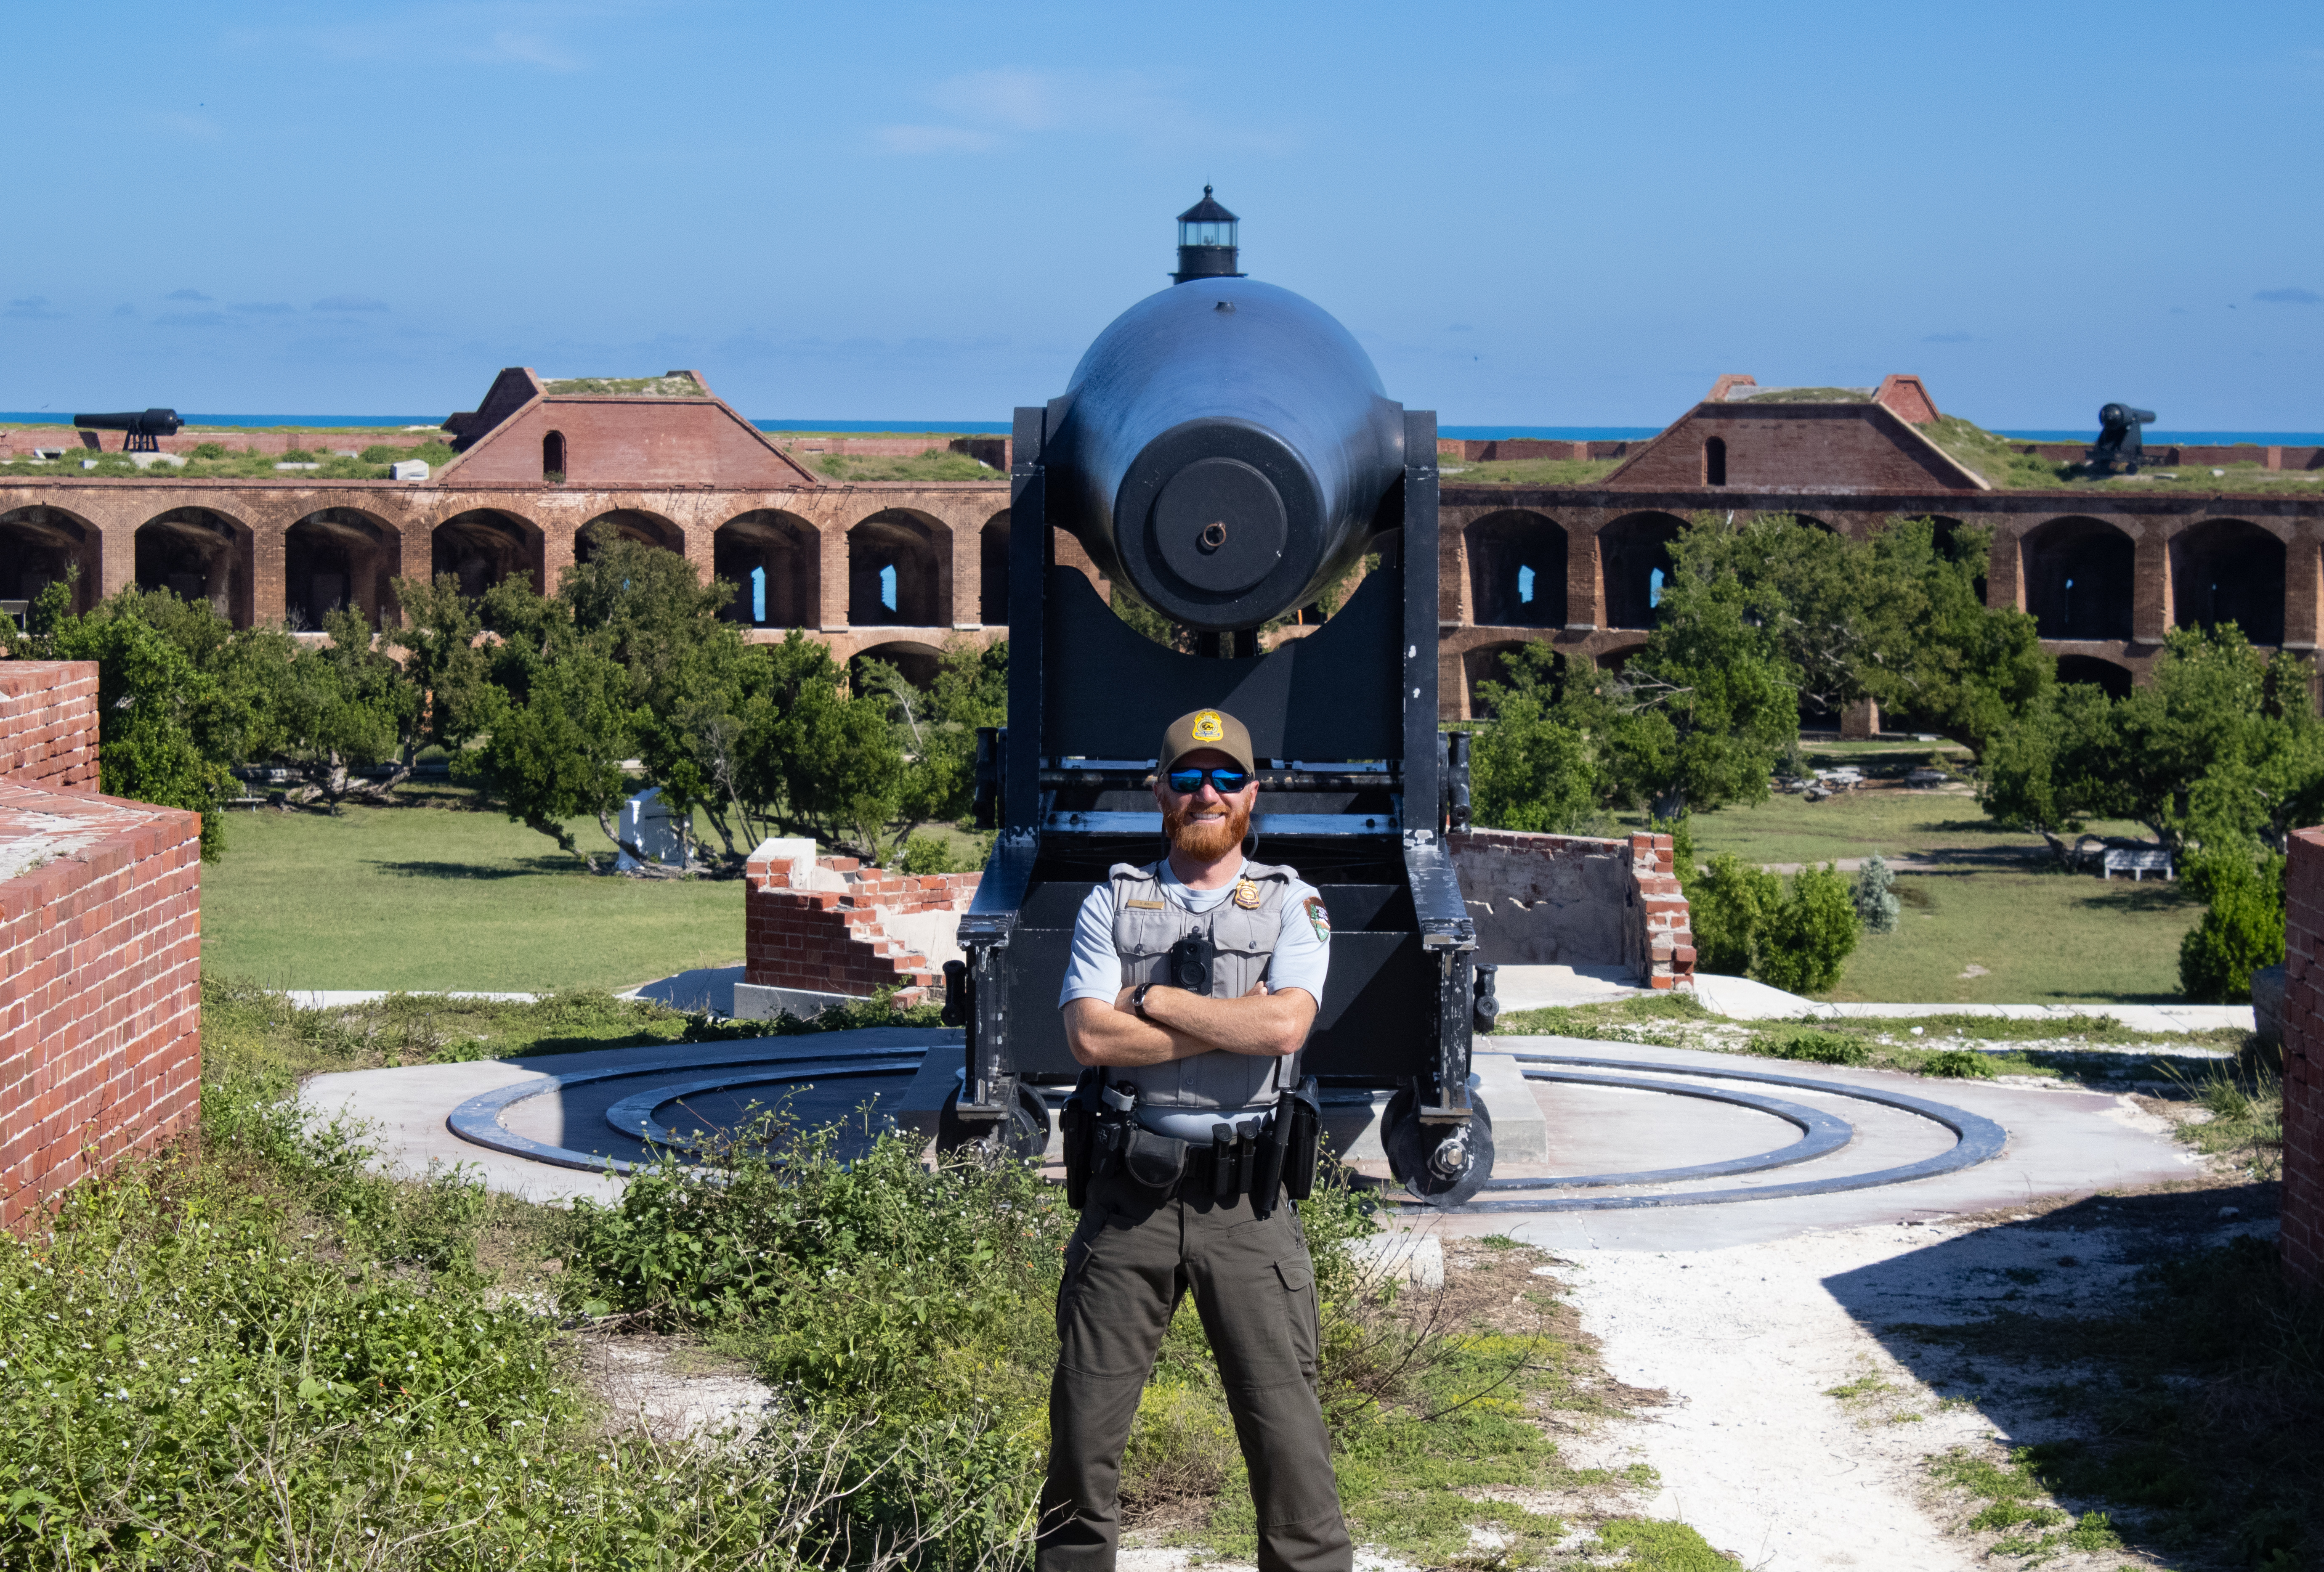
column 1193, row 1081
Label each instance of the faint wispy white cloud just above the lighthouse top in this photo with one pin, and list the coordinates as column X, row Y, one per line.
column 987, row 110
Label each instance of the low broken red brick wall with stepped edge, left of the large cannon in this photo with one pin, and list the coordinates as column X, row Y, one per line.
column 831, row 942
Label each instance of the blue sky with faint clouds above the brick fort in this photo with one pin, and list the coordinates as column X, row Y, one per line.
column 1530, row 215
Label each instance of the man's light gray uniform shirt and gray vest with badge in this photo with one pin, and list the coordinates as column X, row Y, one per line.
column 1293, row 956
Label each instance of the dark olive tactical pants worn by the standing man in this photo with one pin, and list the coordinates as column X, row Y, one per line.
column 1128, row 1267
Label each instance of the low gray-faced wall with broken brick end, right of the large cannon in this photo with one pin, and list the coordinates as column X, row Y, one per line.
column 1577, row 902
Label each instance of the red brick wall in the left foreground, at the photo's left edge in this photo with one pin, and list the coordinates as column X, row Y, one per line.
column 101, row 951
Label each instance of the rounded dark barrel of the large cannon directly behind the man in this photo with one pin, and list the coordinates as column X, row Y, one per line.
column 1226, row 452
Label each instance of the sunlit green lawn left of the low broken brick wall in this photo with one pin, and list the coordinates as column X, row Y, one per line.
column 443, row 897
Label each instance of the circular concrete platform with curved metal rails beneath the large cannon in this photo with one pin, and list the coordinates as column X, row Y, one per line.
column 1630, row 1132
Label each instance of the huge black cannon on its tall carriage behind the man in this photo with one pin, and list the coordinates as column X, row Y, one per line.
column 1226, row 454
